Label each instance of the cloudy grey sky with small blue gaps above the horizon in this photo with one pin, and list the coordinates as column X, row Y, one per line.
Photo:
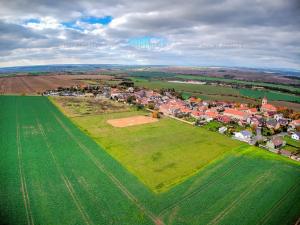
column 251, row 33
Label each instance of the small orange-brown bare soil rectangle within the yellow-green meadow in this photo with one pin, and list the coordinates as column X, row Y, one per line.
column 131, row 121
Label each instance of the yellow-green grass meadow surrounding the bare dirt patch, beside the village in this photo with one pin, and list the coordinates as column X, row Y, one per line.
column 161, row 154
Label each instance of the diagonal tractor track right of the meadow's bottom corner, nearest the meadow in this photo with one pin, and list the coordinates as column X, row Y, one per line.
column 202, row 188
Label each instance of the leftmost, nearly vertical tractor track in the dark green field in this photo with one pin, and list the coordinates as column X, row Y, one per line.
column 24, row 190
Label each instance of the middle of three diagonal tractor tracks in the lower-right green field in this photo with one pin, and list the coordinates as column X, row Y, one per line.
column 237, row 200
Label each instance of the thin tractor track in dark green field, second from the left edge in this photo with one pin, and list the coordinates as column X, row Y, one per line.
column 66, row 181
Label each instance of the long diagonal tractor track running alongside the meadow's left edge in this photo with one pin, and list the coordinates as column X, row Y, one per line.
column 118, row 184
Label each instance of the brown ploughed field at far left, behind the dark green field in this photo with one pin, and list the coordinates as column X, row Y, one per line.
column 35, row 84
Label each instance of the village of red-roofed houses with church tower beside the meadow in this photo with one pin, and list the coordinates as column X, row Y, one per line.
column 264, row 125
